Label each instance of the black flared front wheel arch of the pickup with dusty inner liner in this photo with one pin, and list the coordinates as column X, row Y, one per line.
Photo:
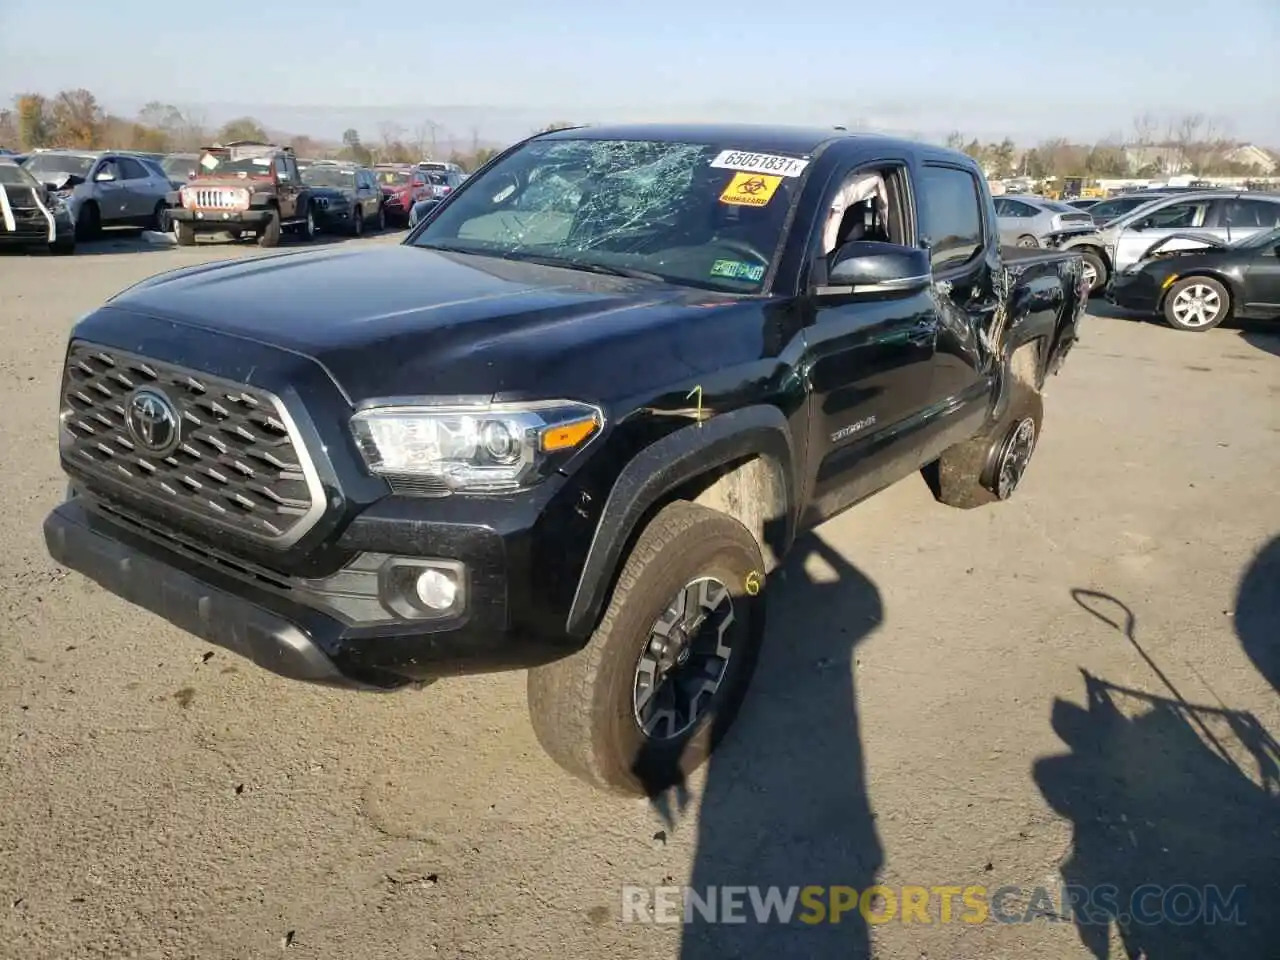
column 739, row 464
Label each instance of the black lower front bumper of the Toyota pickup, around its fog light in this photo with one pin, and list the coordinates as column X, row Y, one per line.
column 285, row 627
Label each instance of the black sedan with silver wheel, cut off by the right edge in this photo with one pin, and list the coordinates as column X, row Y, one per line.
column 1199, row 289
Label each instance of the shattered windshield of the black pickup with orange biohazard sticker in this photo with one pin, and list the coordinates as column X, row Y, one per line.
column 693, row 214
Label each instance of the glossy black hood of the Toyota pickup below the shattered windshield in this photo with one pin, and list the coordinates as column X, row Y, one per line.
column 410, row 322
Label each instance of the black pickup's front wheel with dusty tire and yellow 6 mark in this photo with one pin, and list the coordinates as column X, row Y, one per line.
column 662, row 678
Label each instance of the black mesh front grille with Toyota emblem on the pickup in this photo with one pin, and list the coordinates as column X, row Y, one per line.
column 218, row 451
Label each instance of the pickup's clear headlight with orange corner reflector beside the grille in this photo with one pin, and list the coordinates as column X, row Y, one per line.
column 483, row 449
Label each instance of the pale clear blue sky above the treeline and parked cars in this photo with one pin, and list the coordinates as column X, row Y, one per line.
column 1030, row 71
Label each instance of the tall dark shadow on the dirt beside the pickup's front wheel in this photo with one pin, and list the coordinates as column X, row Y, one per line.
column 785, row 802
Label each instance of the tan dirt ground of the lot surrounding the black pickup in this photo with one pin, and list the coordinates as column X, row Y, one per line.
column 1075, row 687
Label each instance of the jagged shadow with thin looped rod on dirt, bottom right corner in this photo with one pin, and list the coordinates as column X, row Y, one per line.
column 1176, row 810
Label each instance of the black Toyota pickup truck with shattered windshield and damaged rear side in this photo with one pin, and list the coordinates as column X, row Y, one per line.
column 573, row 423
